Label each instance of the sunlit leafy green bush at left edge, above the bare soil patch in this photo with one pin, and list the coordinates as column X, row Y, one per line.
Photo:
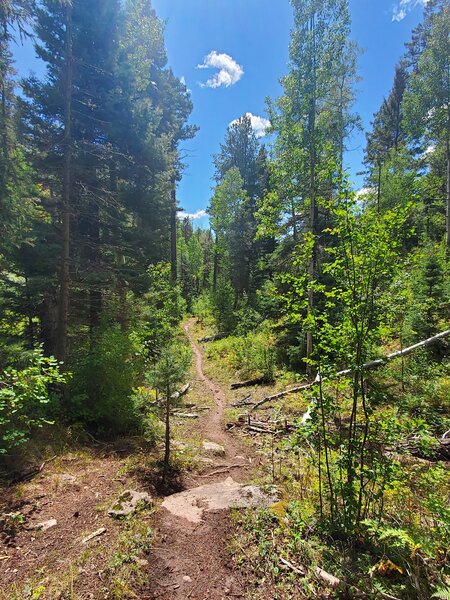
column 24, row 398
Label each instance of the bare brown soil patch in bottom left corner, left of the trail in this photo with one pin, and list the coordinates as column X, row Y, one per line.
column 76, row 491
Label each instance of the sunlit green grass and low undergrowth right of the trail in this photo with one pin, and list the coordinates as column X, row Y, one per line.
column 406, row 556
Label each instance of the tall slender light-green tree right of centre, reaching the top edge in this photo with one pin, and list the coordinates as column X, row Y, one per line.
column 313, row 118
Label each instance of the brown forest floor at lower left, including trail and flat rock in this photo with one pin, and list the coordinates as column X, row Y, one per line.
column 156, row 553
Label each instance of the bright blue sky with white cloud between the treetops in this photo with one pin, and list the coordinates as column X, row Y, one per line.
column 254, row 34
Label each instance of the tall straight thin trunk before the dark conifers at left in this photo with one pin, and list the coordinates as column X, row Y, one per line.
column 63, row 300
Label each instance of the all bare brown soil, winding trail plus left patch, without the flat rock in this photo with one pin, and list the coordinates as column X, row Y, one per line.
column 188, row 560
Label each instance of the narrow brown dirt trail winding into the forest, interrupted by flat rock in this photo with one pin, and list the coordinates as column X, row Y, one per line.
column 191, row 560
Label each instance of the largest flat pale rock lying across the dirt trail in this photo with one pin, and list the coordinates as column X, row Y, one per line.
column 227, row 494
